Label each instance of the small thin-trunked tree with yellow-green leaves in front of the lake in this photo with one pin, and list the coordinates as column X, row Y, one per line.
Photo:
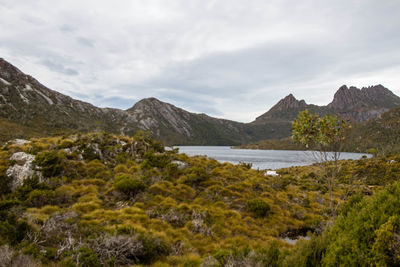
column 325, row 137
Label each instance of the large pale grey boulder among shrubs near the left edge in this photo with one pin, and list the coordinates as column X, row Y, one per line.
column 22, row 169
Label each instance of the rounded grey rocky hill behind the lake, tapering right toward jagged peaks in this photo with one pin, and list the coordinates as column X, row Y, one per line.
column 178, row 126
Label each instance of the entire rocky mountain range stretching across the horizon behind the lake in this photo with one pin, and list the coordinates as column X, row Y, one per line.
column 28, row 108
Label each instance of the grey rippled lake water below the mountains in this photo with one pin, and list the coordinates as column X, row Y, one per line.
column 262, row 159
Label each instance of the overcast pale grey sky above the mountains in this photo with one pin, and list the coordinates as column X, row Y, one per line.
column 229, row 59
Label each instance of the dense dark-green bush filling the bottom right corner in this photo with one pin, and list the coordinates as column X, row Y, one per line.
column 365, row 234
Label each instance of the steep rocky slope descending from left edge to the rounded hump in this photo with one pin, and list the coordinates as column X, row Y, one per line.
column 23, row 100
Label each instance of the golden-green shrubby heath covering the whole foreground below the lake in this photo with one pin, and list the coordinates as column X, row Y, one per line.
column 106, row 200
